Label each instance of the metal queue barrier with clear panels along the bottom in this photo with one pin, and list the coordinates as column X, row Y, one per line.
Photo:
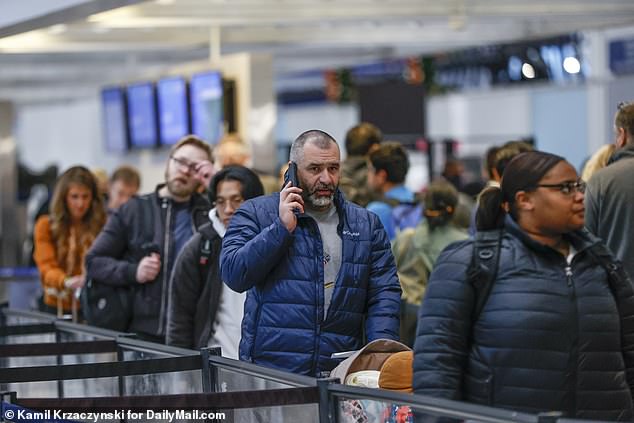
column 309, row 399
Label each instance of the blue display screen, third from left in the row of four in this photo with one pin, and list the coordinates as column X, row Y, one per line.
column 173, row 112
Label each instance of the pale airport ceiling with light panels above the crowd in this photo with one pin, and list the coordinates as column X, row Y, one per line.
column 69, row 52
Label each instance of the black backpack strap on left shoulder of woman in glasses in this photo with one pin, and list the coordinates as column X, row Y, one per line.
column 484, row 267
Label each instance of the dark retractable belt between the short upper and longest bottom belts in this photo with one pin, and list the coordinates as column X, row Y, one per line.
column 97, row 370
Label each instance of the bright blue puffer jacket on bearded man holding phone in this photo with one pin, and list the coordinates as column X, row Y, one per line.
column 283, row 325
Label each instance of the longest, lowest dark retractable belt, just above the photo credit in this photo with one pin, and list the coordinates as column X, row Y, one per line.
column 202, row 401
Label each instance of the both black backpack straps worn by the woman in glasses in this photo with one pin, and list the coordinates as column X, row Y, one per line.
column 485, row 260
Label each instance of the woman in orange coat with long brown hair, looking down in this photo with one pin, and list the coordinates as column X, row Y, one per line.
column 62, row 238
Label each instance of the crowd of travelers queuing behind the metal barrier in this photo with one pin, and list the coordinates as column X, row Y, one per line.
column 518, row 298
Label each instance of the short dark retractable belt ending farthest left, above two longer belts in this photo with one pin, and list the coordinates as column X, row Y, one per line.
column 57, row 348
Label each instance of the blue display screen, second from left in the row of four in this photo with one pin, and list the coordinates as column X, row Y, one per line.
column 142, row 118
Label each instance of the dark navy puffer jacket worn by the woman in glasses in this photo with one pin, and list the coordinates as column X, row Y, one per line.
column 548, row 338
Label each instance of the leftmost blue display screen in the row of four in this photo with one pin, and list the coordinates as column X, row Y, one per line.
column 114, row 120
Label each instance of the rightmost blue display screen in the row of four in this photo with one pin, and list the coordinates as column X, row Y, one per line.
column 206, row 106
